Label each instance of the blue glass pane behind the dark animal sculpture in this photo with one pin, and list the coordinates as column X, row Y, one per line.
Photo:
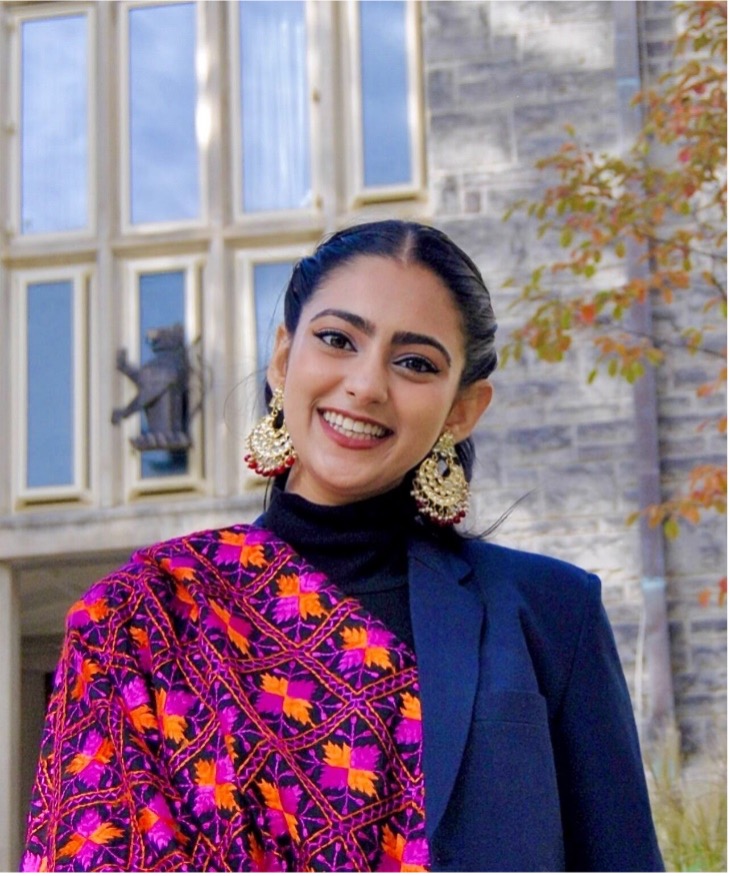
column 161, row 305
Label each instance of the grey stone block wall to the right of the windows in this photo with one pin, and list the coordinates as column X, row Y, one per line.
column 502, row 80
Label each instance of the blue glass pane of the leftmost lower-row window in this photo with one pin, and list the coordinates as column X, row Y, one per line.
column 51, row 400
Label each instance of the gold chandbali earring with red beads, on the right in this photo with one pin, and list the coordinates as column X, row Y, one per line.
column 440, row 487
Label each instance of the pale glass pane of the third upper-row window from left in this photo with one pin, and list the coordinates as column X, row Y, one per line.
column 274, row 105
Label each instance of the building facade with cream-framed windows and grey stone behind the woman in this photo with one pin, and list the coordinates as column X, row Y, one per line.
column 168, row 163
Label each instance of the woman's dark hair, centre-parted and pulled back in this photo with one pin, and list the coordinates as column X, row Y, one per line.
column 412, row 243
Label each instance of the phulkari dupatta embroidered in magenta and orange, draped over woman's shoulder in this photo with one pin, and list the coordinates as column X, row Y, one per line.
column 220, row 705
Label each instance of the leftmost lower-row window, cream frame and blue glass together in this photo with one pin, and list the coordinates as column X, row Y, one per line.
column 51, row 385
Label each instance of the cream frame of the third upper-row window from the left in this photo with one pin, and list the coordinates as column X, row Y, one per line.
column 287, row 220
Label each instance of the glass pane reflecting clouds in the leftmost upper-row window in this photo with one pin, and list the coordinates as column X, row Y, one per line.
column 54, row 144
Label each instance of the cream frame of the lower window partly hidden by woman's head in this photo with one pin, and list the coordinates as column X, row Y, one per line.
column 247, row 334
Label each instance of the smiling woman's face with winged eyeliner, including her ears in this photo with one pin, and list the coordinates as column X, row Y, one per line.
column 371, row 379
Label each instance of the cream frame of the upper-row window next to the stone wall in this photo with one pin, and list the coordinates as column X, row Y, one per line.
column 358, row 194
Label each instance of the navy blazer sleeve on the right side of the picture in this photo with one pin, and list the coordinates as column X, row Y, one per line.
column 606, row 814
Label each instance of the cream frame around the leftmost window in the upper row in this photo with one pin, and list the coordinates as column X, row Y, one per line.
column 17, row 17
